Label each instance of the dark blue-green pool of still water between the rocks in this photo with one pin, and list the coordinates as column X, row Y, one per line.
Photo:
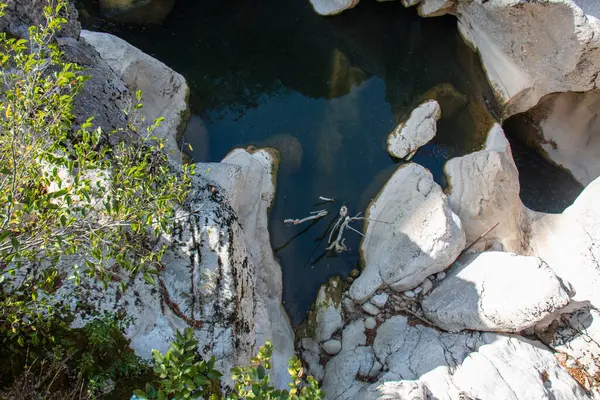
column 326, row 92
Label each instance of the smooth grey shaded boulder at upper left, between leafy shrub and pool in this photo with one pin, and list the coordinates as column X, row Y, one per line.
column 164, row 91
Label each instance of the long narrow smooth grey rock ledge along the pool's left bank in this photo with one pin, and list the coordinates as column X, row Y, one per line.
column 251, row 199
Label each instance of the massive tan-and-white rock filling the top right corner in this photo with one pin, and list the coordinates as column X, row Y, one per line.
column 530, row 49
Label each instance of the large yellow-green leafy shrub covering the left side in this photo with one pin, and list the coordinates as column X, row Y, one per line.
column 73, row 207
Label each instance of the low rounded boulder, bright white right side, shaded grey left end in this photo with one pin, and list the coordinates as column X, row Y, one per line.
column 495, row 291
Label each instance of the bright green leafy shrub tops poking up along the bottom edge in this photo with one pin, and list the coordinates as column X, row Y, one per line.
column 183, row 374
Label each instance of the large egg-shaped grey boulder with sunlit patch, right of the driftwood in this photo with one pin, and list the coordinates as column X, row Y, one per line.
column 411, row 233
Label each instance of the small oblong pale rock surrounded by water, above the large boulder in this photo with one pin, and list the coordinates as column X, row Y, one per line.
column 417, row 131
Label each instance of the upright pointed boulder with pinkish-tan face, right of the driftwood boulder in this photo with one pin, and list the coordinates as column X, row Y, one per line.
column 484, row 192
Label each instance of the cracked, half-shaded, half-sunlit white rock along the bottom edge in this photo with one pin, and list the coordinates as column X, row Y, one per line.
column 450, row 366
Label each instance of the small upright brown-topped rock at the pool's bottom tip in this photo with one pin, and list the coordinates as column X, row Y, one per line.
column 328, row 310
